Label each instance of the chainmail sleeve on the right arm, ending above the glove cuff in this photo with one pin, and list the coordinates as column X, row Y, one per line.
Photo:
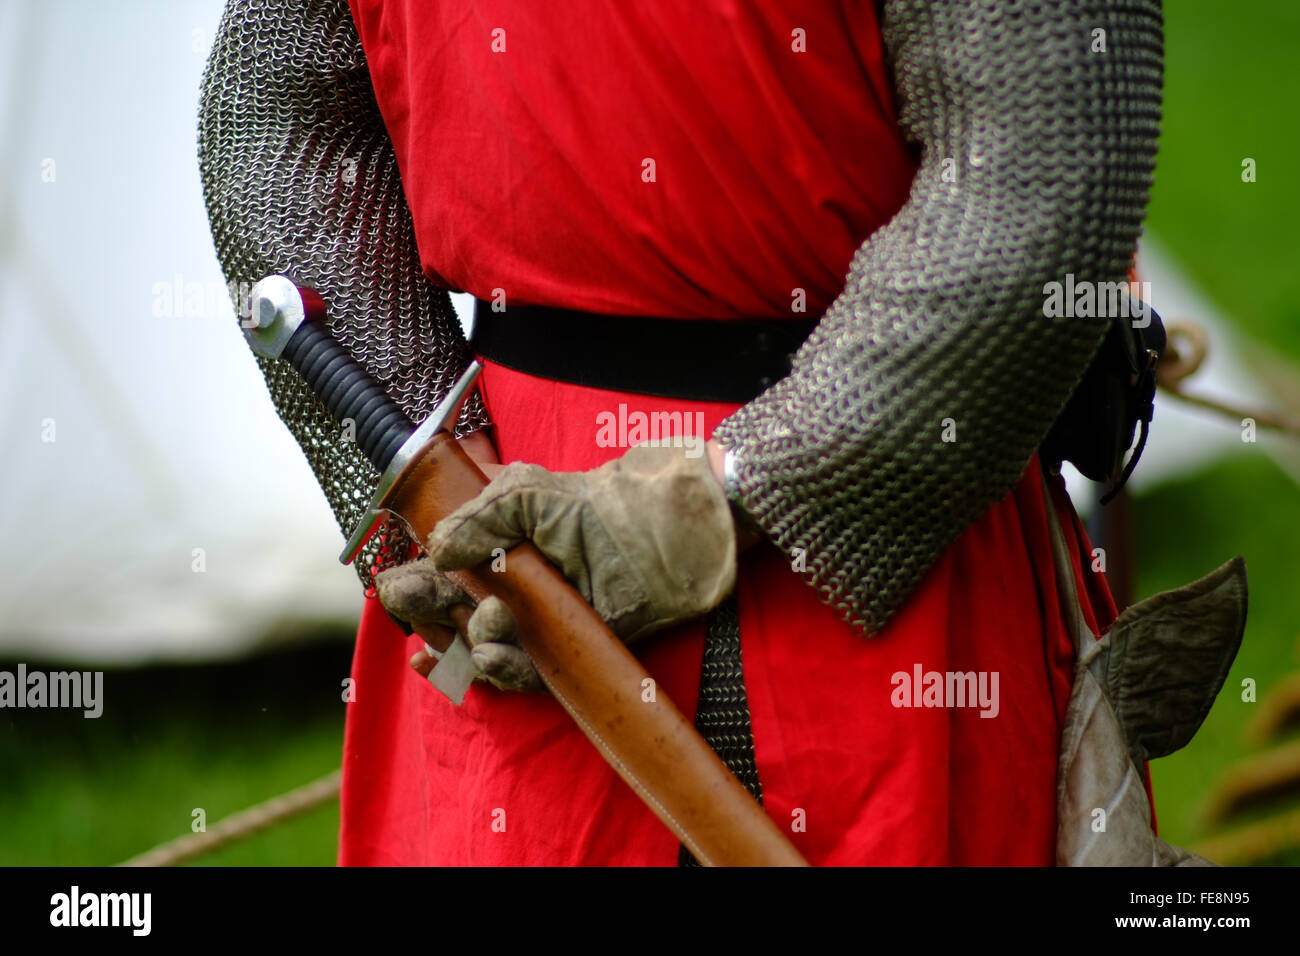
column 1048, row 142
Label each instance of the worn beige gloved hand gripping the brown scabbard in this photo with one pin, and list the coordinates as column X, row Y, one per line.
column 647, row 539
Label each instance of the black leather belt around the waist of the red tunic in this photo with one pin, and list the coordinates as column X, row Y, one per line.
column 703, row 360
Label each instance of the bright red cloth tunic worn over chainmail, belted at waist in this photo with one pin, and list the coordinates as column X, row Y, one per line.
column 690, row 159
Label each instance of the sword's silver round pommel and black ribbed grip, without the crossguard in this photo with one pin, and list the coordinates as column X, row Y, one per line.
column 289, row 322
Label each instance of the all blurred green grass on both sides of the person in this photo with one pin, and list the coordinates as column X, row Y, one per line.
column 227, row 738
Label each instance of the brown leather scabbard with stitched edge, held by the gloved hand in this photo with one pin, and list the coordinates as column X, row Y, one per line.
column 600, row 684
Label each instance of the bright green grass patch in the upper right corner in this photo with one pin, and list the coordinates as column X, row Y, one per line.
column 1232, row 92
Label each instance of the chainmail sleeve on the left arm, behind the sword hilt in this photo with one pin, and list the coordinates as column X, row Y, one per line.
column 300, row 178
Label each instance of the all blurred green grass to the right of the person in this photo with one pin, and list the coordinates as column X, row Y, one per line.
column 1232, row 92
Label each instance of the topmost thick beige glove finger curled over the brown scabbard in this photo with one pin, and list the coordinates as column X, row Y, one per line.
column 502, row 516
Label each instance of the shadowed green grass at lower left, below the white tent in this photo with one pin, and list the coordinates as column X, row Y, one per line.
column 172, row 739
